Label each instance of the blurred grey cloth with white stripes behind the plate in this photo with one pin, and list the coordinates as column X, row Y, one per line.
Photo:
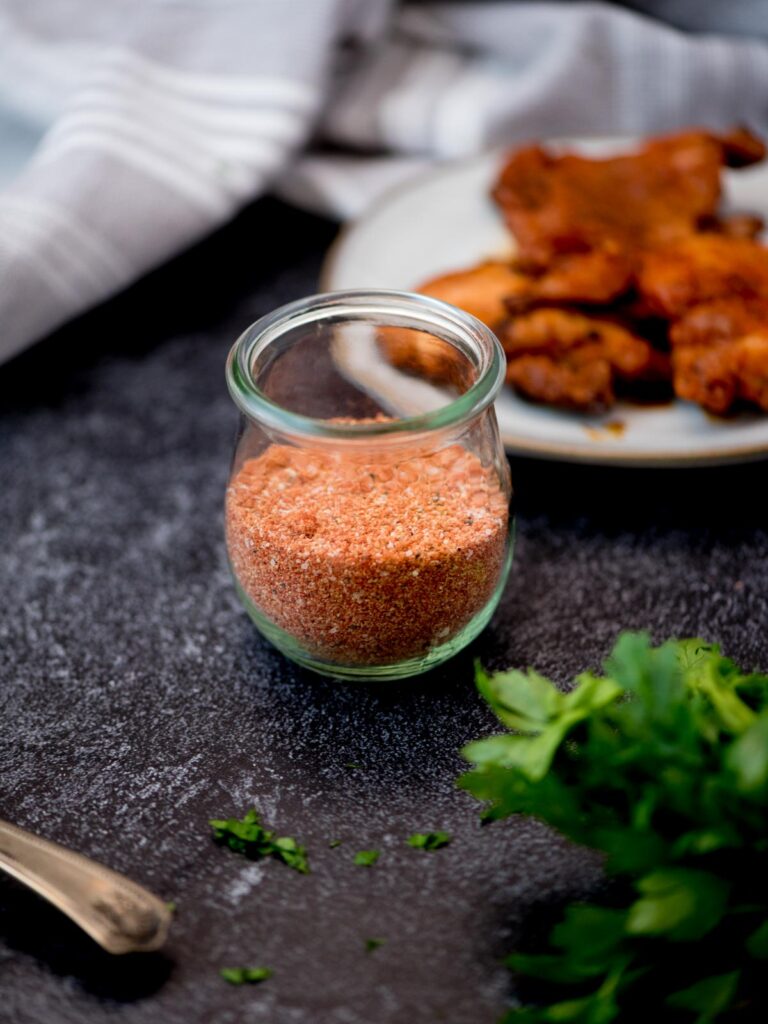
column 131, row 130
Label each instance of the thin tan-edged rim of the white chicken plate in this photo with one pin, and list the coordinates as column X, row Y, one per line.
column 551, row 451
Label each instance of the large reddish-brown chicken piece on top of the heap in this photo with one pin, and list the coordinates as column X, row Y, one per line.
column 565, row 204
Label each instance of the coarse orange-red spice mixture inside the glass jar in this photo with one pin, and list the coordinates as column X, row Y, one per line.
column 367, row 564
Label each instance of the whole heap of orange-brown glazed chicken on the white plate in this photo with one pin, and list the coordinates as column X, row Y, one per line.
column 628, row 277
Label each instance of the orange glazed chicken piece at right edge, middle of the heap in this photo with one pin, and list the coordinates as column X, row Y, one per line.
column 701, row 269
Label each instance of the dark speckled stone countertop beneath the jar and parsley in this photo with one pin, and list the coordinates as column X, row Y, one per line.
column 138, row 700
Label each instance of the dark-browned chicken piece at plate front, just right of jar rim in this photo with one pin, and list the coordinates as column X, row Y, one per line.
column 563, row 358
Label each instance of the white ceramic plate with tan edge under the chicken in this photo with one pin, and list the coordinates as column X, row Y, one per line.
column 445, row 221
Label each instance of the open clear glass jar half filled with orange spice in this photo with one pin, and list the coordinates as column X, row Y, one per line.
column 368, row 522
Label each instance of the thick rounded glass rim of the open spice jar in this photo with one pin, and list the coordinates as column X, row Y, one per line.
column 426, row 313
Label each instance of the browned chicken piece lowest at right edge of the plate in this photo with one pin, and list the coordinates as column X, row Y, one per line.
column 720, row 354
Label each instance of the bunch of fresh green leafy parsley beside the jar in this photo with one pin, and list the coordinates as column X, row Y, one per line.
column 662, row 764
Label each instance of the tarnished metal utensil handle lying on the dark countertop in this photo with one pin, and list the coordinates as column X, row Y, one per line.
column 121, row 916
